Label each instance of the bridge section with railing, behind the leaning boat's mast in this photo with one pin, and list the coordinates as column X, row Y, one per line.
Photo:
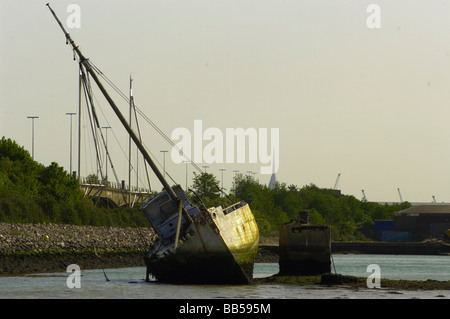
column 112, row 196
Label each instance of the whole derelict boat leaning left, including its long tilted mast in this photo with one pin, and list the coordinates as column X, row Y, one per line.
column 195, row 245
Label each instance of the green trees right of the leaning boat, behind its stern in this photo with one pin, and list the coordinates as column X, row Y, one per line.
column 348, row 217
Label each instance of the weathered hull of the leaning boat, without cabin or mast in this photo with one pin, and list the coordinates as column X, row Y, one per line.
column 219, row 247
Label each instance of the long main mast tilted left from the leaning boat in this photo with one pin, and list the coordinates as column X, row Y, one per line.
column 87, row 66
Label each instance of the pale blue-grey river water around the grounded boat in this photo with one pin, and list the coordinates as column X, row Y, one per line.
column 128, row 283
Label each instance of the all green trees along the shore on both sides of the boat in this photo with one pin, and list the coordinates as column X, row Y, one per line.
column 33, row 193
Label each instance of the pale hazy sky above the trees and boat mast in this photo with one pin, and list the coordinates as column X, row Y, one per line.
column 369, row 103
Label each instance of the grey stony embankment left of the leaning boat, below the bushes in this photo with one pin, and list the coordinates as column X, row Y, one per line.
column 28, row 248
